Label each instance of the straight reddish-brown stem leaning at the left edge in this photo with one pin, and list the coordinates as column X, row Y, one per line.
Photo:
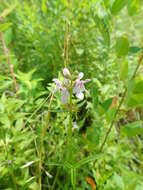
column 5, row 50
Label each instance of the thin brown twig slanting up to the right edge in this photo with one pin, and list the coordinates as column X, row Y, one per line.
column 120, row 104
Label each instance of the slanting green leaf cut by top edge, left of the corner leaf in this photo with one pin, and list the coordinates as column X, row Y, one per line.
column 117, row 6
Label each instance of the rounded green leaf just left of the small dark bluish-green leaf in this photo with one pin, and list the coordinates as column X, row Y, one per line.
column 122, row 46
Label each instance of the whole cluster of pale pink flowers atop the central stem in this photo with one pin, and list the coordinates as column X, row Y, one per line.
column 78, row 86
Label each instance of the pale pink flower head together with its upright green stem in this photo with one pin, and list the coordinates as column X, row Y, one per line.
column 71, row 87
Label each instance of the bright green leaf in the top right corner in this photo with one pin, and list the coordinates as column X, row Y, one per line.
column 133, row 7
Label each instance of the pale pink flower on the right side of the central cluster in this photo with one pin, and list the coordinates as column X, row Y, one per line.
column 79, row 87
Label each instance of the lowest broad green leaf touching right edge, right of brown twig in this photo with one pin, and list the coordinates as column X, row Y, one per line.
column 132, row 129
